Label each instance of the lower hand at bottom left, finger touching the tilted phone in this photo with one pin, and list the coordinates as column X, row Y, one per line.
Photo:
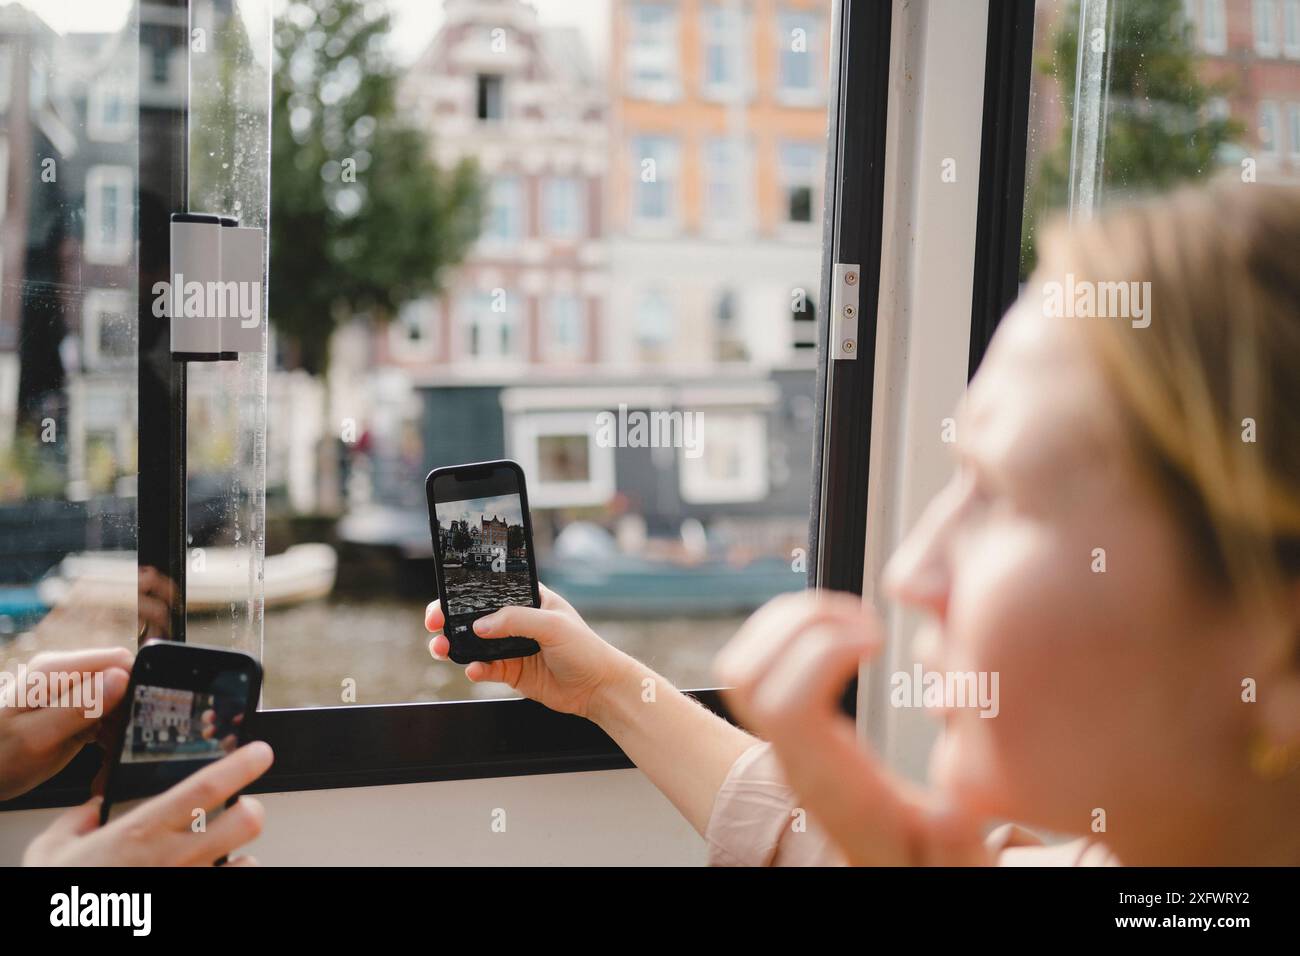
column 161, row 833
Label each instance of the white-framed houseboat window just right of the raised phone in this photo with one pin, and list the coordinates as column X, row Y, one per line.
column 566, row 465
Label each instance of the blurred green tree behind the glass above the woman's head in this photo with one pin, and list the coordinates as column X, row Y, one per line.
column 1158, row 129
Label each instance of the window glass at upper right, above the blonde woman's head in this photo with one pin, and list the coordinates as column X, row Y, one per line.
column 1160, row 93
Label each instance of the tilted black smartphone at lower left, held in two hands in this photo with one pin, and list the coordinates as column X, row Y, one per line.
column 189, row 706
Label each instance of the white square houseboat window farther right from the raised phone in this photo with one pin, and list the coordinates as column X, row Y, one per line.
column 730, row 462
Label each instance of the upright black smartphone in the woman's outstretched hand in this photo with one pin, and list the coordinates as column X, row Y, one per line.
column 483, row 553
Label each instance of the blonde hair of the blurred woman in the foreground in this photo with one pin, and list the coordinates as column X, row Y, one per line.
column 1211, row 388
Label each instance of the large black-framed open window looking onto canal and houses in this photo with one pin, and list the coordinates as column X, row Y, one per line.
column 635, row 235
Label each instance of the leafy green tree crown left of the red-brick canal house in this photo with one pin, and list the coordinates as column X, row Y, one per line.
column 362, row 219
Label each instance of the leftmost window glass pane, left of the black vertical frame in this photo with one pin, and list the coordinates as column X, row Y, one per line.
column 70, row 155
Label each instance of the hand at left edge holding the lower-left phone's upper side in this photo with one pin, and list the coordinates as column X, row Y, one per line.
column 37, row 743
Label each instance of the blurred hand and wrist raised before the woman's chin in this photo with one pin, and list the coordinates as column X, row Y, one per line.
column 787, row 671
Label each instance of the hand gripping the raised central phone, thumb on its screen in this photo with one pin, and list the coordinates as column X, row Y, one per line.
column 571, row 669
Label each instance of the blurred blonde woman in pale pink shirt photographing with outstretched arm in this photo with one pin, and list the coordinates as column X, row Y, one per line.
column 1120, row 546
